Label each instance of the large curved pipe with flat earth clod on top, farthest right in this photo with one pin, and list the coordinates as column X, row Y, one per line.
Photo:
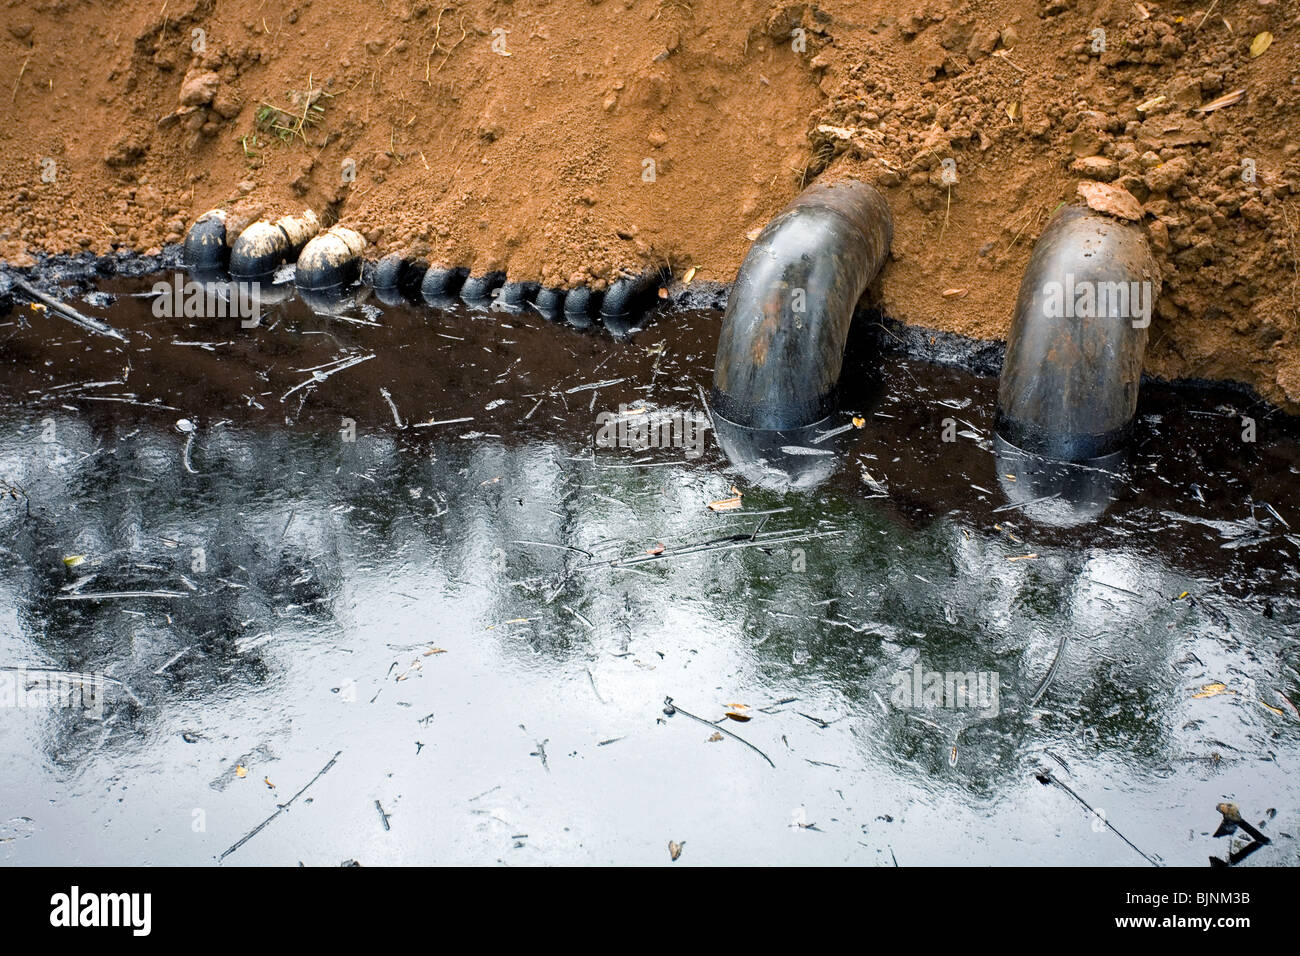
column 1074, row 354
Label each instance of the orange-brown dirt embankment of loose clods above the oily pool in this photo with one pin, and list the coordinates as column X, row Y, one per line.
column 566, row 140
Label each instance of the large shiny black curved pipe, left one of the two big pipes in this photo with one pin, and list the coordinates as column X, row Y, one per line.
column 788, row 317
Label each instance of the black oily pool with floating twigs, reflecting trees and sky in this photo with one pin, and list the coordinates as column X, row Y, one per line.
column 400, row 539
